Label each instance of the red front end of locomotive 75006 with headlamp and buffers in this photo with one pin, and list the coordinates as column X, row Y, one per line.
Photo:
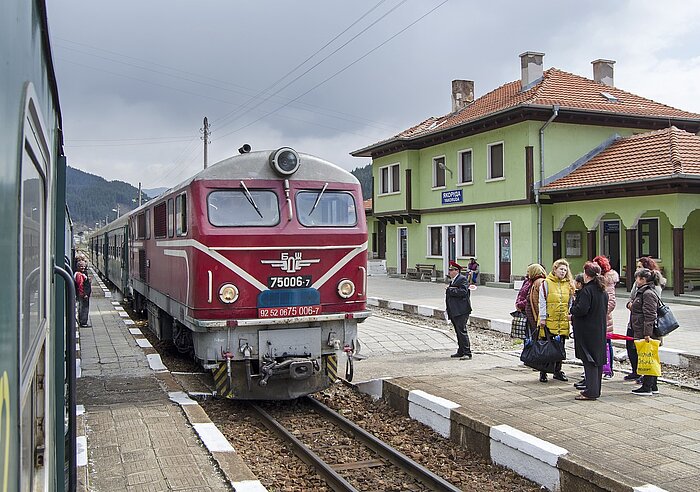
column 280, row 273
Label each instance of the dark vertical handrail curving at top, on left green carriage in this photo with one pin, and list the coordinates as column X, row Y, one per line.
column 70, row 375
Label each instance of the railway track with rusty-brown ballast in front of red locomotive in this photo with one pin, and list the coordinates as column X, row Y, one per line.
column 322, row 448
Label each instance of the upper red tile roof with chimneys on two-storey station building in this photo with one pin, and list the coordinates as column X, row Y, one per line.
column 567, row 90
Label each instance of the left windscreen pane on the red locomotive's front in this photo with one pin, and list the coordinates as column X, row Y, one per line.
column 236, row 208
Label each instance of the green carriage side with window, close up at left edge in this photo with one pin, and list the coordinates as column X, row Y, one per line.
column 32, row 205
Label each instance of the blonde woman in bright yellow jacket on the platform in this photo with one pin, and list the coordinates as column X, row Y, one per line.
column 556, row 295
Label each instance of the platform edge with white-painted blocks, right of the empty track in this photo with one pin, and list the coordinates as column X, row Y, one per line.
column 540, row 461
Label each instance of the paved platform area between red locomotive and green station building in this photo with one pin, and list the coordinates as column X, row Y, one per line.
column 496, row 406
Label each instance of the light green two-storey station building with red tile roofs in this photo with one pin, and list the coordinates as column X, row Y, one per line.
column 552, row 165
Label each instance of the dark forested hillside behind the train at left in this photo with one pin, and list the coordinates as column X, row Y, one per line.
column 91, row 198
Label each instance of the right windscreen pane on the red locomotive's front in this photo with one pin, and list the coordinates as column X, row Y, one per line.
column 320, row 208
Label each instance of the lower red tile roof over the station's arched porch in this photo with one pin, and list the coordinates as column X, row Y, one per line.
column 666, row 153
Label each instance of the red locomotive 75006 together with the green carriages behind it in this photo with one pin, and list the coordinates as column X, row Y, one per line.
column 256, row 266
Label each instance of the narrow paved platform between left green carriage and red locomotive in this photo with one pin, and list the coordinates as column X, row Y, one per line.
column 137, row 430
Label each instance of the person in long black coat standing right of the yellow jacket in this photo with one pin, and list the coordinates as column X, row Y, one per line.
column 589, row 317
